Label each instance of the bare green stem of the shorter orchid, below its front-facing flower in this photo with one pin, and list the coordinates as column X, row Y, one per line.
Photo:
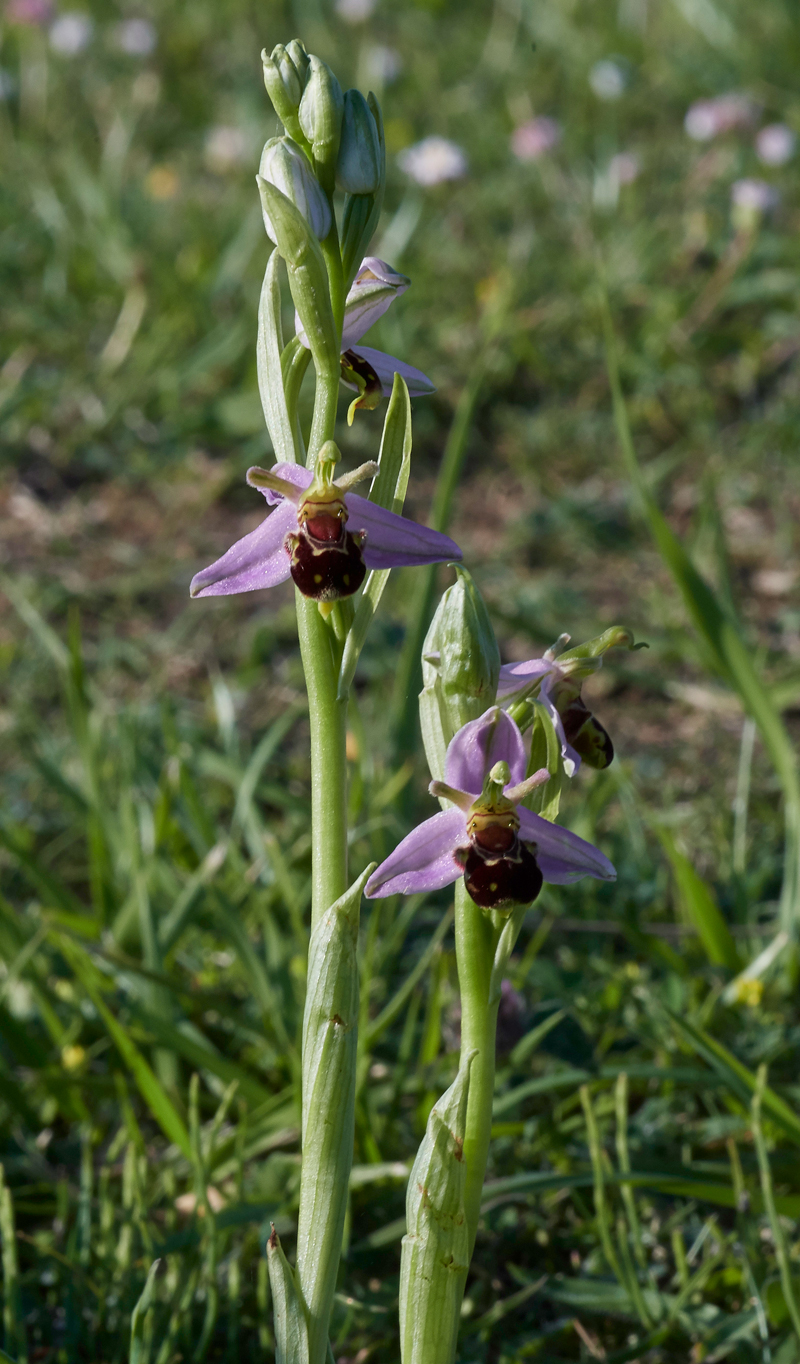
column 476, row 945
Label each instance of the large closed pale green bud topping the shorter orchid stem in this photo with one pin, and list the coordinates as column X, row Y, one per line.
column 461, row 665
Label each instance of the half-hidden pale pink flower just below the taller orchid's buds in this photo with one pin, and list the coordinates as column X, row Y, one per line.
column 369, row 372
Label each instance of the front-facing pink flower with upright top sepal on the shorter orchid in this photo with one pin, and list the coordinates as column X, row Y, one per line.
column 504, row 850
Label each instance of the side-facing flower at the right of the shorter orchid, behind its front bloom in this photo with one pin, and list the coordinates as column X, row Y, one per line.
column 581, row 735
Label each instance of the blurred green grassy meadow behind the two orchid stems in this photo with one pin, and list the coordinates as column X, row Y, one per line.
column 155, row 852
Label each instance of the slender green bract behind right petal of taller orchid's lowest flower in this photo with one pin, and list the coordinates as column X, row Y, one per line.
column 389, row 490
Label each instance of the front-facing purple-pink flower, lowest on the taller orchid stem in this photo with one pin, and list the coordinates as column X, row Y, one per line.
column 321, row 535
